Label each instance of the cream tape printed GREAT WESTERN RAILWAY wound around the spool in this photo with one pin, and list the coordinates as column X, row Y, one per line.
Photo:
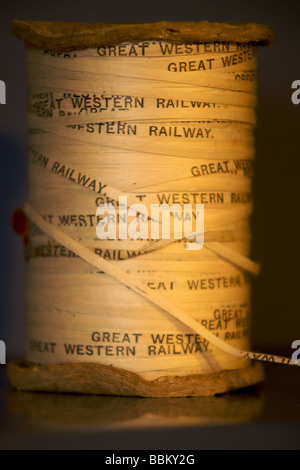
column 158, row 124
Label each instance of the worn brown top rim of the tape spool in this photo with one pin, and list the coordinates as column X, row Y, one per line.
column 66, row 36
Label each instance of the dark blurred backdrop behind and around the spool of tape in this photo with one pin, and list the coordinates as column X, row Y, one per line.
column 276, row 314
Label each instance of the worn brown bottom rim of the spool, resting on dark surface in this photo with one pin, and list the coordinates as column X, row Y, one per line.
column 98, row 379
